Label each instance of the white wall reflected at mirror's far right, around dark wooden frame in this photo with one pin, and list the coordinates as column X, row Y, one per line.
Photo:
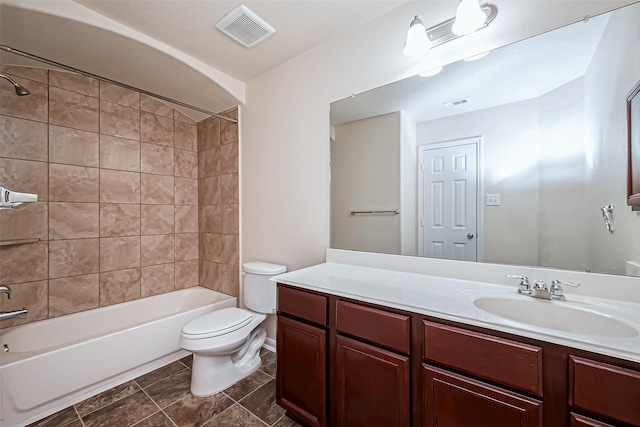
column 611, row 75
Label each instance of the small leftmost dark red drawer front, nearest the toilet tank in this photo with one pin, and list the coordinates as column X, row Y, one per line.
column 302, row 304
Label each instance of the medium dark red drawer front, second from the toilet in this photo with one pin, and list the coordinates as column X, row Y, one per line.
column 381, row 327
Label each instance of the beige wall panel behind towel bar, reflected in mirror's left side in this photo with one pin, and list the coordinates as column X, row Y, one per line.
column 365, row 172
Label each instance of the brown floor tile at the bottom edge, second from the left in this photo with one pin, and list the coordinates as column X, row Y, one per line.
column 124, row 412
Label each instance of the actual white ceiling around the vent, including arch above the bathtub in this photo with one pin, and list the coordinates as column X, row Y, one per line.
column 170, row 47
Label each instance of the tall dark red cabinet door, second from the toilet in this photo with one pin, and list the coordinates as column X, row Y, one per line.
column 372, row 386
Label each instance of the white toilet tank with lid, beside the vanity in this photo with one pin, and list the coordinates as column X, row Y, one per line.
column 259, row 291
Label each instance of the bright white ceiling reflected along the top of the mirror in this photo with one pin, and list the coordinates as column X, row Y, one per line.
column 517, row 72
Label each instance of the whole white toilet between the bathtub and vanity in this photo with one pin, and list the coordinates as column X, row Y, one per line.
column 226, row 343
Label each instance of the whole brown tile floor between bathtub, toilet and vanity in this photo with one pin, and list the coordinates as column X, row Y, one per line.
column 162, row 399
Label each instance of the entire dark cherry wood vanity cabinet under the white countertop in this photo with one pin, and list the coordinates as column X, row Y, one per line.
column 347, row 363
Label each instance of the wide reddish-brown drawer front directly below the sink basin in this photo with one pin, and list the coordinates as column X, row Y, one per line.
column 506, row 362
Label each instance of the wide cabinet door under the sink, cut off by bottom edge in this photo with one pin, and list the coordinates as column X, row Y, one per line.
column 451, row 400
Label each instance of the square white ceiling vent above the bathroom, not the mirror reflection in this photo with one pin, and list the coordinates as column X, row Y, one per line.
column 245, row 27
